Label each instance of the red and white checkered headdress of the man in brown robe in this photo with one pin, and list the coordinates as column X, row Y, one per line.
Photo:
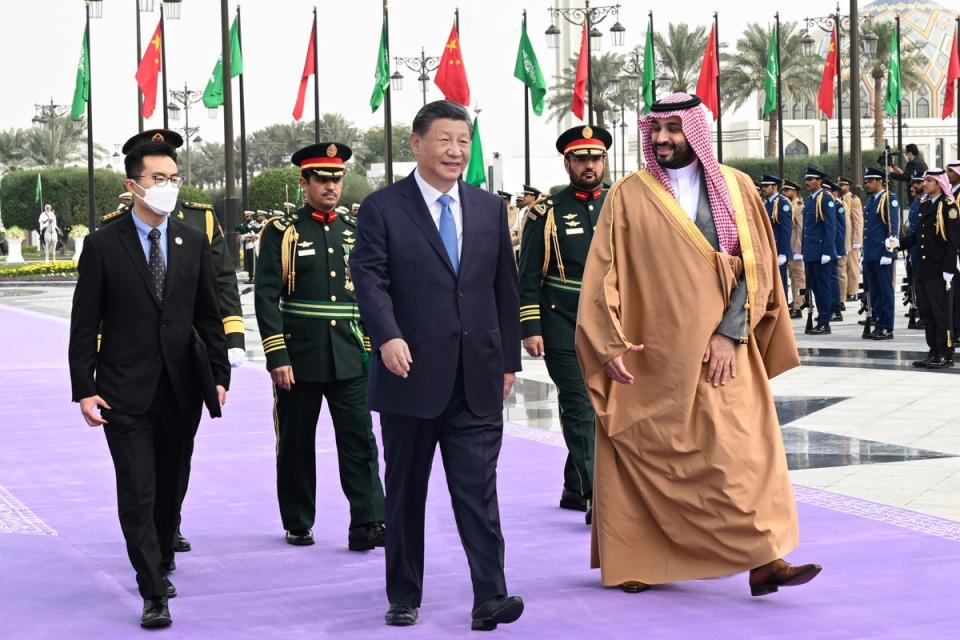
column 697, row 131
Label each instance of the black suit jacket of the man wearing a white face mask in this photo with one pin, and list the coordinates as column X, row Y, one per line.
column 141, row 335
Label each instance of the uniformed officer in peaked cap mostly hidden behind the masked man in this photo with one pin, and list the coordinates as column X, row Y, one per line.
column 200, row 216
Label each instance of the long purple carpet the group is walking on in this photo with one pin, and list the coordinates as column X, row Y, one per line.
column 64, row 574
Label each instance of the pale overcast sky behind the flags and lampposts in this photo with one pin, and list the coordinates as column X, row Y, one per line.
column 40, row 45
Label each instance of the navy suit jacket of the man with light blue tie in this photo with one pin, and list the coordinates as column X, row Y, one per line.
column 406, row 287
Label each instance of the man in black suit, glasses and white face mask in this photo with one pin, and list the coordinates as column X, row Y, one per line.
column 147, row 285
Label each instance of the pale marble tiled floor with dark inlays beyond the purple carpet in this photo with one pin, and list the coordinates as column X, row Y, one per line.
column 858, row 419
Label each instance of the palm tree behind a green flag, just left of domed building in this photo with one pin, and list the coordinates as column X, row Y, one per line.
column 744, row 71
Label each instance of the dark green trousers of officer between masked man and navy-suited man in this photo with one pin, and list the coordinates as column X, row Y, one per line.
column 296, row 421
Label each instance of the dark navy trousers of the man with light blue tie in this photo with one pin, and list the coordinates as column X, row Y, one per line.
column 470, row 446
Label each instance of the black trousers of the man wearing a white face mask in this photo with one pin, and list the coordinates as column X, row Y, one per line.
column 151, row 457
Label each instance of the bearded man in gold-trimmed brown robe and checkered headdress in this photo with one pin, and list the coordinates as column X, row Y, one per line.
column 682, row 322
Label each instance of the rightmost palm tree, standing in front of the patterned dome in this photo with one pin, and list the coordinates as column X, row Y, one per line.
column 912, row 62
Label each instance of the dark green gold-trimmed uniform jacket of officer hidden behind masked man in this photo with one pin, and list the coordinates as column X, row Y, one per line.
column 201, row 216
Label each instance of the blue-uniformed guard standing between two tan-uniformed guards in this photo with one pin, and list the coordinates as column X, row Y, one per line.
column 819, row 245
